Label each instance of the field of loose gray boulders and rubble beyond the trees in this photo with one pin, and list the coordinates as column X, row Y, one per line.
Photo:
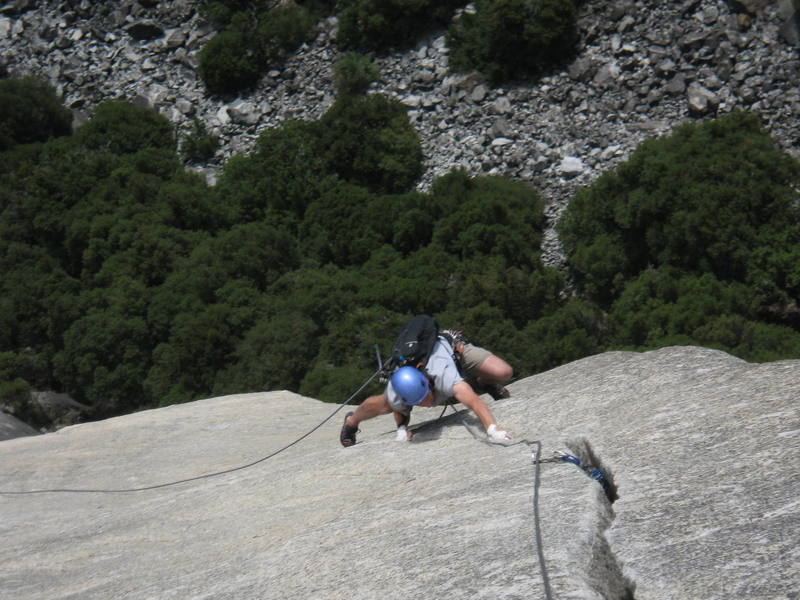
column 634, row 66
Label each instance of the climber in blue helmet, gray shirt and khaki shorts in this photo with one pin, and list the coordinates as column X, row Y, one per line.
column 438, row 383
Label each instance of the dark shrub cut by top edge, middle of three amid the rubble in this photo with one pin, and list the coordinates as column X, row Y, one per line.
column 383, row 24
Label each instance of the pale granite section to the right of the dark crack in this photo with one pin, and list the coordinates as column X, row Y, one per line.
column 706, row 512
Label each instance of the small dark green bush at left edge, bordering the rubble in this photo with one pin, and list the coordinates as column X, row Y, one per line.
column 30, row 111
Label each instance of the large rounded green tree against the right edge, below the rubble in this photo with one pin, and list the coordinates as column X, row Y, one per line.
column 708, row 198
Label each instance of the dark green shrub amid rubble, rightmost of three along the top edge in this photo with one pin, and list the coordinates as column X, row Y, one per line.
column 505, row 39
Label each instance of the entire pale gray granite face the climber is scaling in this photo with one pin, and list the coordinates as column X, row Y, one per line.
column 701, row 447
